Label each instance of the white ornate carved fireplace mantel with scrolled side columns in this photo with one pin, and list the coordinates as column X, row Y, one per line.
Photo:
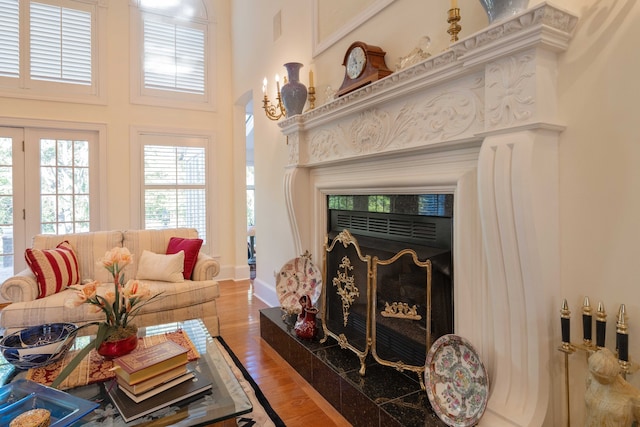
column 479, row 121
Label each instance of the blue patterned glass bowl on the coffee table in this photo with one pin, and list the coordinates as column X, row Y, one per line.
column 38, row 345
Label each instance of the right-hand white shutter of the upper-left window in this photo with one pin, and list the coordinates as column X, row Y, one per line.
column 60, row 44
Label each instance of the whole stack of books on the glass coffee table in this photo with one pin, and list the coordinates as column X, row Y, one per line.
column 154, row 378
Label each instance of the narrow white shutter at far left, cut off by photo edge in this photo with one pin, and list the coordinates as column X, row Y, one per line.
column 9, row 38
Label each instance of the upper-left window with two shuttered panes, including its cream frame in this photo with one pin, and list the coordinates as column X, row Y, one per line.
column 49, row 49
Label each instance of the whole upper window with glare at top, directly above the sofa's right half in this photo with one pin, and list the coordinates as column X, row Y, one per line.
column 171, row 53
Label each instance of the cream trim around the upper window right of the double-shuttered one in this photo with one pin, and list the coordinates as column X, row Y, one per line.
column 167, row 98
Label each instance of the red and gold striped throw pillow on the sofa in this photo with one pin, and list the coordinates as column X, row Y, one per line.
column 55, row 269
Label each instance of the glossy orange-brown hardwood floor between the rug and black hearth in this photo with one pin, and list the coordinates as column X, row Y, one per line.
column 297, row 403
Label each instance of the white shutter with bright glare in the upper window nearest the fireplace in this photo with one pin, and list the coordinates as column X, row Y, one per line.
column 174, row 56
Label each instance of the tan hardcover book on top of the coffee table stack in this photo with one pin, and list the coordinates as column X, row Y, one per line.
column 142, row 365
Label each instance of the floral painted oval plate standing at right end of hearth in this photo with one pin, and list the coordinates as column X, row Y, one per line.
column 456, row 381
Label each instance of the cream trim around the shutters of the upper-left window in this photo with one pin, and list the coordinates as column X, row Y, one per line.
column 26, row 88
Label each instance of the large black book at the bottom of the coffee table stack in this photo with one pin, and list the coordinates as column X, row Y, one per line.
column 130, row 410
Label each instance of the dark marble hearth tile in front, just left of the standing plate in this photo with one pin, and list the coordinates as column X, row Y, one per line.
column 413, row 409
